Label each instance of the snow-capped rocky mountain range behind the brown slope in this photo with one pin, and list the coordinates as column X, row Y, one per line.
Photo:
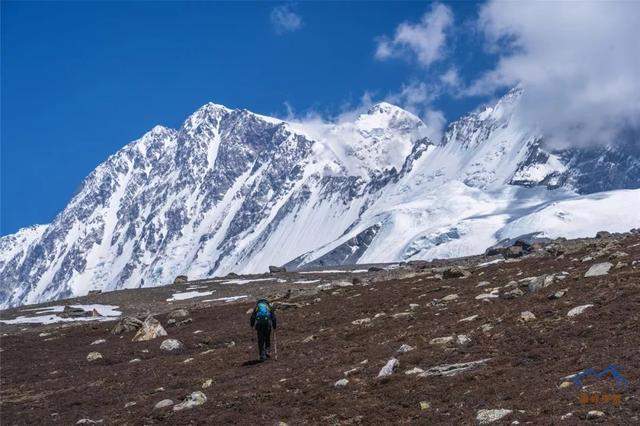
column 236, row 191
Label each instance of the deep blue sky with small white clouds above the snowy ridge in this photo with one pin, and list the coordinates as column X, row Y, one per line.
column 82, row 79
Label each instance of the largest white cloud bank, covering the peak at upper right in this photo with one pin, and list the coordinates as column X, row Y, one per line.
column 578, row 62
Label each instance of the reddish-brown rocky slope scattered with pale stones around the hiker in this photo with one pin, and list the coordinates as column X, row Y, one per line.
column 473, row 340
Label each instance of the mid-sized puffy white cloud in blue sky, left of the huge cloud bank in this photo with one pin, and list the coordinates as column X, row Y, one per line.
column 425, row 40
